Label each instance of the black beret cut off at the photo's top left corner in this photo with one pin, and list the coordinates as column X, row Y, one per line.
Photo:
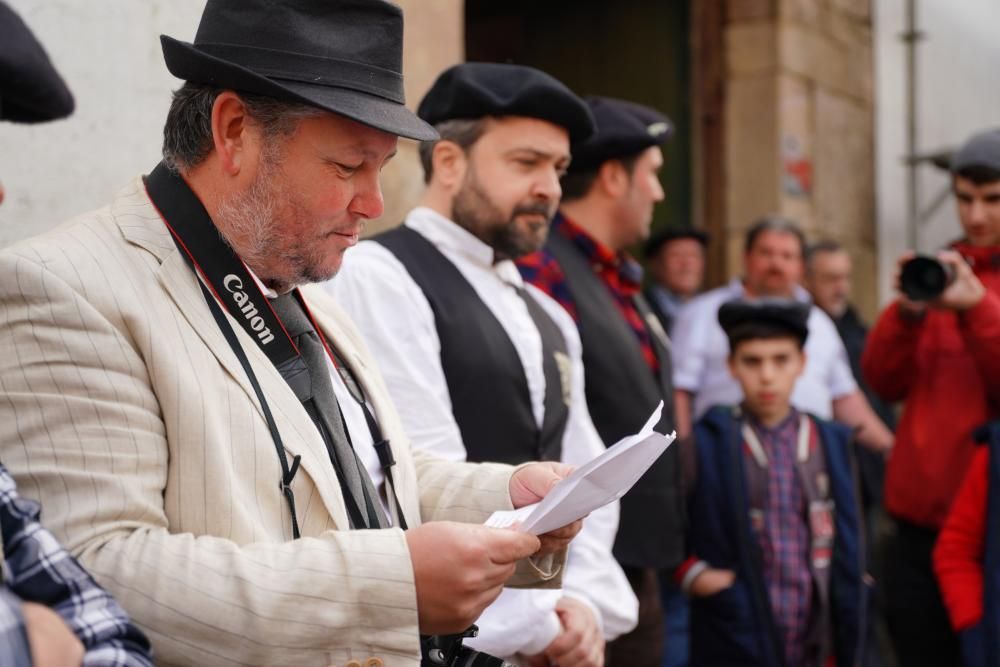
column 31, row 91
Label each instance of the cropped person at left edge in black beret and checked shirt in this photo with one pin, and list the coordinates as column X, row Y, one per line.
column 52, row 612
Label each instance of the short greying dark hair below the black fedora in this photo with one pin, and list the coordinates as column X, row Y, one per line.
column 187, row 133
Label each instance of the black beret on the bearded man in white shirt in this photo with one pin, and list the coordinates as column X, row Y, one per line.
column 476, row 90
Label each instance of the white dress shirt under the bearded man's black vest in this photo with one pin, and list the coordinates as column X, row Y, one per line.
column 398, row 325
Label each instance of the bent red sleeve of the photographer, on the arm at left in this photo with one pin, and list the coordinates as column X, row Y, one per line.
column 889, row 360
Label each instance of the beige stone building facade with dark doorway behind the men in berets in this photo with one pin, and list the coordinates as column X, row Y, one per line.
column 775, row 102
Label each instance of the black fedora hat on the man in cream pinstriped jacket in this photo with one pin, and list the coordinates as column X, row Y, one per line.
column 343, row 56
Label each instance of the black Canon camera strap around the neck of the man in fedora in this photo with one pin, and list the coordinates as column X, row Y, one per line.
column 226, row 280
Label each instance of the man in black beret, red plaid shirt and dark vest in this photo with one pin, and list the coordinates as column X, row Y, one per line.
column 608, row 197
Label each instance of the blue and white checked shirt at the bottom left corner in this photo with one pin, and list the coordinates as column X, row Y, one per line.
column 36, row 568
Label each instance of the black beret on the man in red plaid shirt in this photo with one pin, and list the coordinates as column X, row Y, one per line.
column 623, row 129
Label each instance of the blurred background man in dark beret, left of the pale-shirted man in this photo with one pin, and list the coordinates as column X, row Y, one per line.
column 675, row 259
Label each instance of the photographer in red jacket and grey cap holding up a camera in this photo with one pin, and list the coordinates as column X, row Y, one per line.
column 942, row 357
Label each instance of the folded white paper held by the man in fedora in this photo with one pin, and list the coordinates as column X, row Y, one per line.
column 602, row 480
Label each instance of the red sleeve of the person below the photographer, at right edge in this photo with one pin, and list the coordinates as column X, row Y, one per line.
column 958, row 555
